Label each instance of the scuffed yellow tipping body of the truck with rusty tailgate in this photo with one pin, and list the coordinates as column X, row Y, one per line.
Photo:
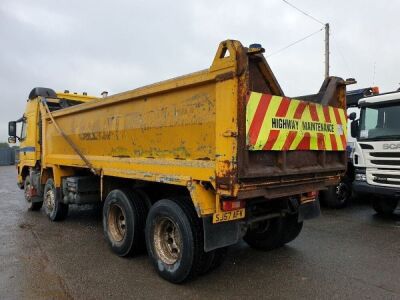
column 193, row 129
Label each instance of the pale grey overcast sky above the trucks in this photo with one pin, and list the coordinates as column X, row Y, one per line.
column 117, row 45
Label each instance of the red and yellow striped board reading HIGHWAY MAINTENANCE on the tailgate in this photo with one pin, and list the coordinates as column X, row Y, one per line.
column 279, row 123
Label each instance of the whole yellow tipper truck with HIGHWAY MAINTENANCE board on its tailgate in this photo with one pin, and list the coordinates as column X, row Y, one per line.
column 187, row 166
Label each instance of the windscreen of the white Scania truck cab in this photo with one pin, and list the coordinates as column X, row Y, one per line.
column 380, row 122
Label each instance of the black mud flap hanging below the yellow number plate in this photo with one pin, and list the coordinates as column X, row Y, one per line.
column 221, row 234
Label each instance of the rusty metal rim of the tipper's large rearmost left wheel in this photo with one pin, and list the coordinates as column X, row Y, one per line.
column 167, row 240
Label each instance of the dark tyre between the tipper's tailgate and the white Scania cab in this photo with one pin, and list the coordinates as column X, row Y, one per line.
column 337, row 196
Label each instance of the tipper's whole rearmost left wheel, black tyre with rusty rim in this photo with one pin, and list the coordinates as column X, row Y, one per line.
column 174, row 240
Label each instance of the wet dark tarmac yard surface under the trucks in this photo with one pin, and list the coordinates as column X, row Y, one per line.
column 344, row 254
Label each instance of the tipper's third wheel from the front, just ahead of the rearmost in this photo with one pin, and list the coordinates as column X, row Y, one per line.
column 124, row 216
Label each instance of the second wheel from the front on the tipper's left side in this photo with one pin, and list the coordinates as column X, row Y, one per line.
column 54, row 208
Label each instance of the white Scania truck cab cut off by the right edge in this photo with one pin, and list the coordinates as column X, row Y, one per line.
column 376, row 155
